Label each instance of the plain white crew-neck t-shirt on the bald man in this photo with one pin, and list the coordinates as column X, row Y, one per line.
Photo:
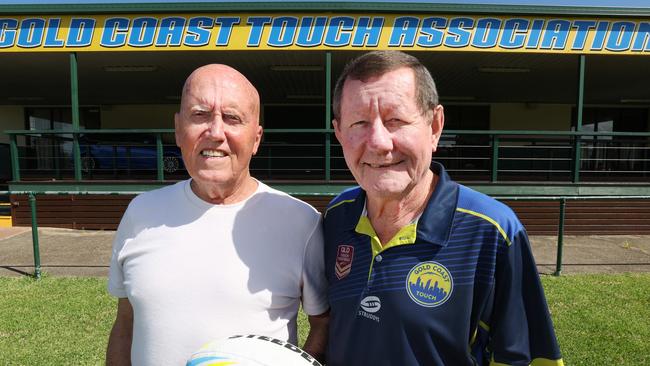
column 195, row 271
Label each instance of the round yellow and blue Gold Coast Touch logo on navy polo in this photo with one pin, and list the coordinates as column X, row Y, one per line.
column 429, row 284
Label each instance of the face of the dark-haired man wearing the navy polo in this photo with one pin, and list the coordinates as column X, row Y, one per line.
column 387, row 140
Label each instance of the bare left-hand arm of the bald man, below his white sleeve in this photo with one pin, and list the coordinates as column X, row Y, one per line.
column 118, row 352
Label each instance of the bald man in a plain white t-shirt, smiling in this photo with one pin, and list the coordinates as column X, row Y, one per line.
column 218, row 254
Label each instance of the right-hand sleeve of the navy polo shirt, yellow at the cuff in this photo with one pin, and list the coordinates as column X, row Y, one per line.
column 521, row 329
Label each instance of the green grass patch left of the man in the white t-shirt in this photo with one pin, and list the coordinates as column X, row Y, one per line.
column 54, row 321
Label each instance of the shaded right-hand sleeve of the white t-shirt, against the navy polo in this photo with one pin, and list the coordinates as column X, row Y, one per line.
column 314, row 283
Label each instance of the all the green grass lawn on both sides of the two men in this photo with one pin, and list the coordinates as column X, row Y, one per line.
column 599, row 319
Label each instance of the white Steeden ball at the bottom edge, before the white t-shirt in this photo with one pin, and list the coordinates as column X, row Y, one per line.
column 251, row 350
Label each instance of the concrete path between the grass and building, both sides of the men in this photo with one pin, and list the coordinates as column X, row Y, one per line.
column 67, row 252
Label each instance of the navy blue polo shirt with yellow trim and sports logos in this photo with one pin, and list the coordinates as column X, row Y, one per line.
column 457, row 287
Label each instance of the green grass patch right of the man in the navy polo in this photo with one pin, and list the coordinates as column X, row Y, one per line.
column 601, row 319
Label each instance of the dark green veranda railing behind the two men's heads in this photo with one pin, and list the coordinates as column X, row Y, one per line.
column 314, row 155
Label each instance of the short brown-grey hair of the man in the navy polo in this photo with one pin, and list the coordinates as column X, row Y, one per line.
column 378, row 63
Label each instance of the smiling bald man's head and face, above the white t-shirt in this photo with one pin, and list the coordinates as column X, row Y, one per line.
column 217, row 128
